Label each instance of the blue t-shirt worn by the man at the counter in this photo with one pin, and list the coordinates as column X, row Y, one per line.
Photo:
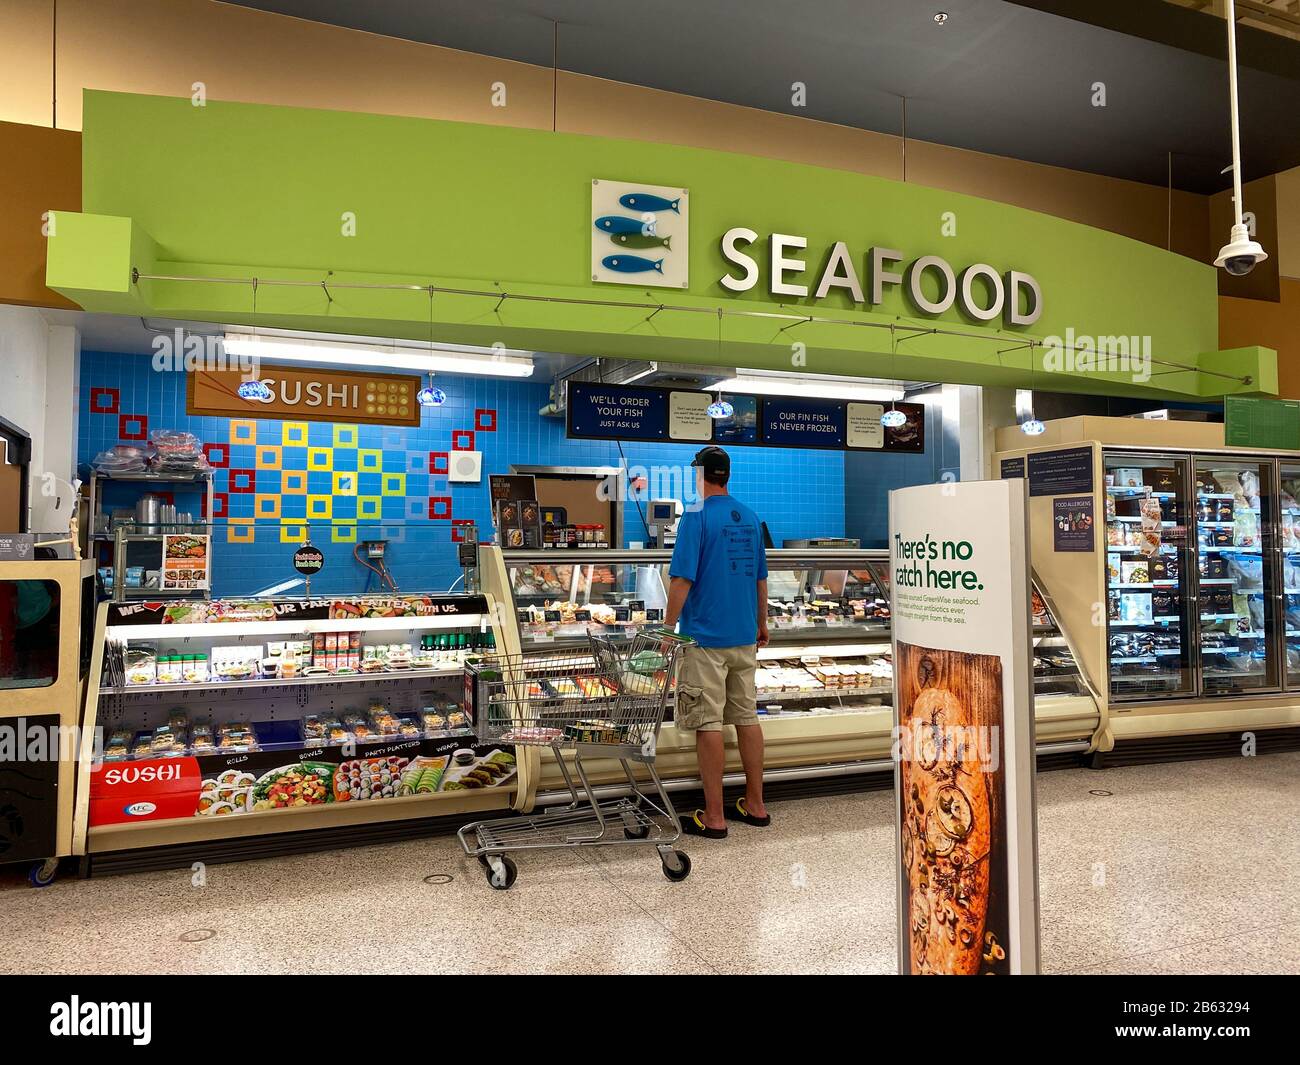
column 721, row 552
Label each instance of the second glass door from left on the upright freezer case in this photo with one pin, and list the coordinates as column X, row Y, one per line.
column 1237, row 603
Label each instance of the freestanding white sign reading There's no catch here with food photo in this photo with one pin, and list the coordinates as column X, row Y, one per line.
column 964, row 729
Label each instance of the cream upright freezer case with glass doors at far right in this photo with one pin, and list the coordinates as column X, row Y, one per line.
column 1188, row 609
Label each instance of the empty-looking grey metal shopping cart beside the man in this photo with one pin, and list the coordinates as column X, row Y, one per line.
column 606, row 703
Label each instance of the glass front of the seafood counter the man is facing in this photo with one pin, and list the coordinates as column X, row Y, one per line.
column 829, row 621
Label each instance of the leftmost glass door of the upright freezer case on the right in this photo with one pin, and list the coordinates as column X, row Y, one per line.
column 1149, row 575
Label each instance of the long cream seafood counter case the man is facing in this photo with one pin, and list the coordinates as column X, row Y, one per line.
column 825, row 681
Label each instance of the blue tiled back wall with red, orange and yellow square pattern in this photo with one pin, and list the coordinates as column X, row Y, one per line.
column 798, row 493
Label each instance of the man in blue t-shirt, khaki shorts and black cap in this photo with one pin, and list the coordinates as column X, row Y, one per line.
column 718, row 595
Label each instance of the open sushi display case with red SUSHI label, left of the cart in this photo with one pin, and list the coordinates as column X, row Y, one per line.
column 215, row 712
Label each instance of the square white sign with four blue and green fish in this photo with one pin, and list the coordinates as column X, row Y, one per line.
column 640, row 235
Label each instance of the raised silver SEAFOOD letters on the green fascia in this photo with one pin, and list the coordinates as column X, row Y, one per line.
column 931, row 284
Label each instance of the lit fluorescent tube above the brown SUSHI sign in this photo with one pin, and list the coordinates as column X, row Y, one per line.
column 367, row 354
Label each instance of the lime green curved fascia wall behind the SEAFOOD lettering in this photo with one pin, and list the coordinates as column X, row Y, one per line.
column 242, row 189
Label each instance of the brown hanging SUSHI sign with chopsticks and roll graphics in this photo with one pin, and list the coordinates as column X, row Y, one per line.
column 310, row 395
